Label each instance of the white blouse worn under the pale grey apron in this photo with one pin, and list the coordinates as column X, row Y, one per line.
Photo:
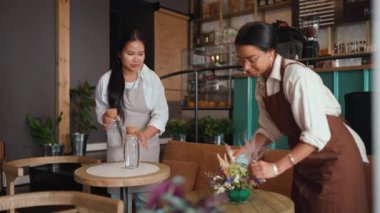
column 154, row 95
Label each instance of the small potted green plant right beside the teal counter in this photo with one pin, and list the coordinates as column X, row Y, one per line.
column 214, row 130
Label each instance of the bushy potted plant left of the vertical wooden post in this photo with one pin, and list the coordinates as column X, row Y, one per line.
column 43, row 132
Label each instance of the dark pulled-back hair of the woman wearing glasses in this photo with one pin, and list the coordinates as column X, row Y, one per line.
column 258, row 34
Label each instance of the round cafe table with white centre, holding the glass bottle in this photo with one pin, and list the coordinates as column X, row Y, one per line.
column 116, row 175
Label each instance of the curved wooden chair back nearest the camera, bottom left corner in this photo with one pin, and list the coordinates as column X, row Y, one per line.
column 83, row 202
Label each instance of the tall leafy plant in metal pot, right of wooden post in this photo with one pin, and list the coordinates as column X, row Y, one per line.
column 82, row 103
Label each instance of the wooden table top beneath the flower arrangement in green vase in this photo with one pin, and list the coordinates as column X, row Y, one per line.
column 260, row 201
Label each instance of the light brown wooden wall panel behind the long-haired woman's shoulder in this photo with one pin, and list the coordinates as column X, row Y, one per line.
column 171, row 38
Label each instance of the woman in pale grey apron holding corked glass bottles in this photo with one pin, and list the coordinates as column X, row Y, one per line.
column 138, row 95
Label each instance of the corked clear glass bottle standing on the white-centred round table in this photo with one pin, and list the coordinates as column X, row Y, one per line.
column 131, row 149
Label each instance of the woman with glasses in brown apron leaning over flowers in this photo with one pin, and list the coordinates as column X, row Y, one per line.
column 326, row 154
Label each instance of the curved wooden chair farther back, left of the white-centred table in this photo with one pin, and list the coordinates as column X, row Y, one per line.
column 14, row 169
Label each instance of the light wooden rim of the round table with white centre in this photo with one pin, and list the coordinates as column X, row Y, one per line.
column 82, row 176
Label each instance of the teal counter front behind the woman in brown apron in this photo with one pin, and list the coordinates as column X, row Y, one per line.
column 245, row 110
